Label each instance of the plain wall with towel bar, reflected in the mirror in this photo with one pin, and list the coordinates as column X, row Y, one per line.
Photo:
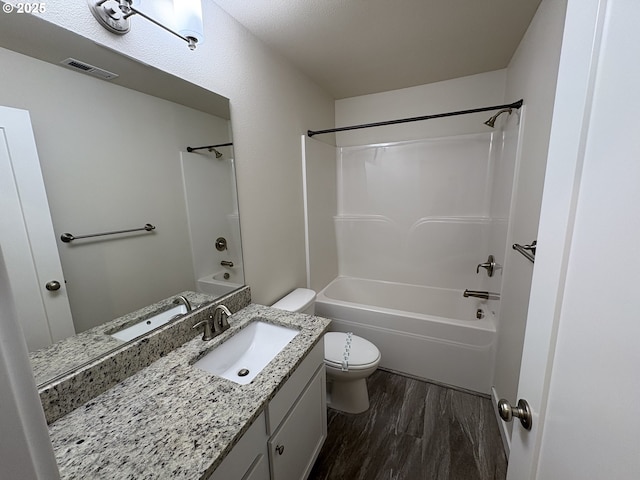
column 110, row 159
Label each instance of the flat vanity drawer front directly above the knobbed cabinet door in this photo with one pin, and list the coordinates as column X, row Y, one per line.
column 286, row 397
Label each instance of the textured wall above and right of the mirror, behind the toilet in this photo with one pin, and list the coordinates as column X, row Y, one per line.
column 272, row 104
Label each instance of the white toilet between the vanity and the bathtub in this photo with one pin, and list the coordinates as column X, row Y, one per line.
column 349, row 359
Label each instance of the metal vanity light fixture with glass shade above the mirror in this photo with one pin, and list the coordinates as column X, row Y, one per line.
column 114, row 16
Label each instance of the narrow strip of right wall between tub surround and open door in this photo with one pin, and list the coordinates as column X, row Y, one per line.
column 531, row 75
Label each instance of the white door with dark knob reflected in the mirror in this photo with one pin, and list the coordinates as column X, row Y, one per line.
column 27, row 237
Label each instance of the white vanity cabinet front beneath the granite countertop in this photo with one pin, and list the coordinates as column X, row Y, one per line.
column 285, row 440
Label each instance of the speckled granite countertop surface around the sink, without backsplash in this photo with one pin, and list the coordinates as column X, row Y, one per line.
column 172, row 420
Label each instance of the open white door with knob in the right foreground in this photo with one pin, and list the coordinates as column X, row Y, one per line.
column 581, row 359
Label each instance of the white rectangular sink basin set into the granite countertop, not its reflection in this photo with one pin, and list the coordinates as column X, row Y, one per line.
column 246, row 353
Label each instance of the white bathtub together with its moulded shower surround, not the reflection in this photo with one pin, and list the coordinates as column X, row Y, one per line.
column 415, row 221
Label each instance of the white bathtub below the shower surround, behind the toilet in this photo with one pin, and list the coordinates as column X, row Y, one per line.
column 425, row 332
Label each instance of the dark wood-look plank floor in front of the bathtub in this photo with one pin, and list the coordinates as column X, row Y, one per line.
column 413, row 430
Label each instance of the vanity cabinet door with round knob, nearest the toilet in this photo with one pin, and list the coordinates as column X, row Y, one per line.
column 296, row 444
